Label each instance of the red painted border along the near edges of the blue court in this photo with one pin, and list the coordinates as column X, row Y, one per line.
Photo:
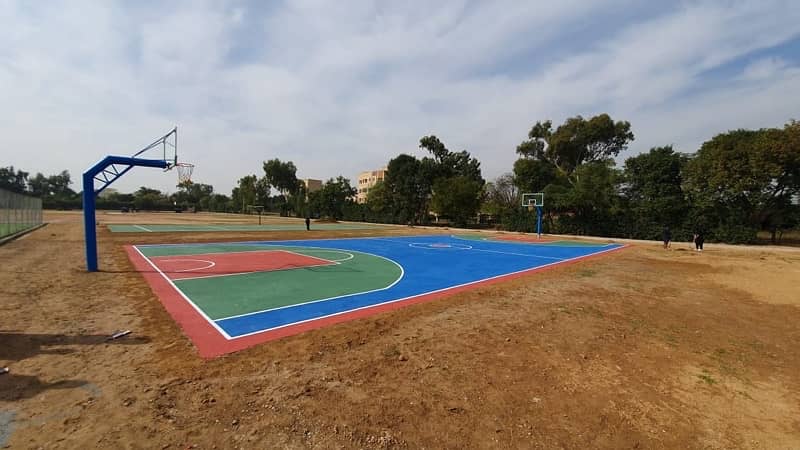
column 211, row 343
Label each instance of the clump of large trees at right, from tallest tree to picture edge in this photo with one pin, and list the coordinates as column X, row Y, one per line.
column 736, row 184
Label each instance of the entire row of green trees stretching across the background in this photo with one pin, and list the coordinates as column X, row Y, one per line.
column 736, row 184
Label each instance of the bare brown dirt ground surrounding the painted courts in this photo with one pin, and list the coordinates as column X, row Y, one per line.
column 643, row 348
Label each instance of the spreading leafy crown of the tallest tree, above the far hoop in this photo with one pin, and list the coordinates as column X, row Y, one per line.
column 575, row 142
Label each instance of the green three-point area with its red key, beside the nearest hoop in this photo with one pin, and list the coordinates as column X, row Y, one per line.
column 228, row 293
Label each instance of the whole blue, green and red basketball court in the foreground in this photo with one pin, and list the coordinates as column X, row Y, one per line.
column 341, row 278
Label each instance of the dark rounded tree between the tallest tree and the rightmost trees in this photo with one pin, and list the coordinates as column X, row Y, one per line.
column 653, row 189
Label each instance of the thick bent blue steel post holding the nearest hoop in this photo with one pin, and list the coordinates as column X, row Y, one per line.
column 89, row 195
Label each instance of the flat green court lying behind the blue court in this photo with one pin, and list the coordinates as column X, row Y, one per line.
column 177, row 228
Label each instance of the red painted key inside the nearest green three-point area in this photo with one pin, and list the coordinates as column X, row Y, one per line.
column 180, row 267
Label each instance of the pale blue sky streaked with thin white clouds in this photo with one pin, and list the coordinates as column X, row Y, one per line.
column 343, row 87
